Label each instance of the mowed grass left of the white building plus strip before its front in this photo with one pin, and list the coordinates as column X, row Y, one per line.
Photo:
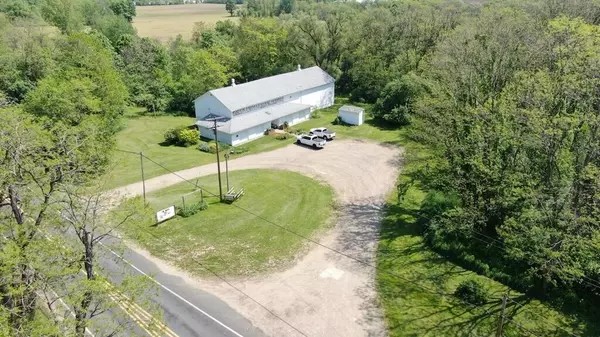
column 146, row 133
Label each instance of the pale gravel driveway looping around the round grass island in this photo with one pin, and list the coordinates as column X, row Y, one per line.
column 324, row 294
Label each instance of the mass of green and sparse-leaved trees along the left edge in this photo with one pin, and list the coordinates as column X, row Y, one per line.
column 61, row 101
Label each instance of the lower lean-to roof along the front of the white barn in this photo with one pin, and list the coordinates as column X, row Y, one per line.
column 248, row 120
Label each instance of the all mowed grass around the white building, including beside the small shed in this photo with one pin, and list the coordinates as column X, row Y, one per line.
column 145, row 134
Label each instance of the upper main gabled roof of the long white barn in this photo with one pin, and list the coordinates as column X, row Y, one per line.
column 269, row 88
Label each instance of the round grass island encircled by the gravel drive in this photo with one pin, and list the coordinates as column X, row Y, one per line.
column 229, row 240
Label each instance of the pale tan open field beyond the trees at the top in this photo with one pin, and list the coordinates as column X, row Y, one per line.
column 165, row 22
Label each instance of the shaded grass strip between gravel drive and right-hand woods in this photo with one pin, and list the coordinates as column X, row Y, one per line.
column 411, row 310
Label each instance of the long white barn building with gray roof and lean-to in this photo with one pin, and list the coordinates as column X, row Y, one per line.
column 249, row 109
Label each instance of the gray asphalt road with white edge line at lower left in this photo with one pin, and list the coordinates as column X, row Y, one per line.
column 187, row 311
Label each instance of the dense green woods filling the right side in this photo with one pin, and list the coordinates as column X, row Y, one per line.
column 508, row 101
